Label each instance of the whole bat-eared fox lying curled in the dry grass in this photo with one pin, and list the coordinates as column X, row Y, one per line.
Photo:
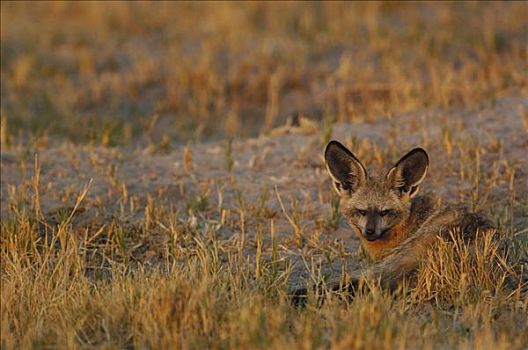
column 396, row 226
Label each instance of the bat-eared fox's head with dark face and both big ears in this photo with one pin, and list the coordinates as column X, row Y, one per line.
column 374, row 206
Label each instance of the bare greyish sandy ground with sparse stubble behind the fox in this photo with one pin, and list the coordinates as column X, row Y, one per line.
column 125, row 181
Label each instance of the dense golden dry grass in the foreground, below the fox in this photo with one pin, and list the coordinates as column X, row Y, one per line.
column 48, row 301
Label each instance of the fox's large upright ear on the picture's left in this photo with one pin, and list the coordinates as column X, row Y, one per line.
column 345, row 169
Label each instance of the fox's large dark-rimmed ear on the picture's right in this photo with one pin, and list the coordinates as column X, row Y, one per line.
column 408, row 173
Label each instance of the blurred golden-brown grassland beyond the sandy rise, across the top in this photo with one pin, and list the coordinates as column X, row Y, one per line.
column 127, row 73
